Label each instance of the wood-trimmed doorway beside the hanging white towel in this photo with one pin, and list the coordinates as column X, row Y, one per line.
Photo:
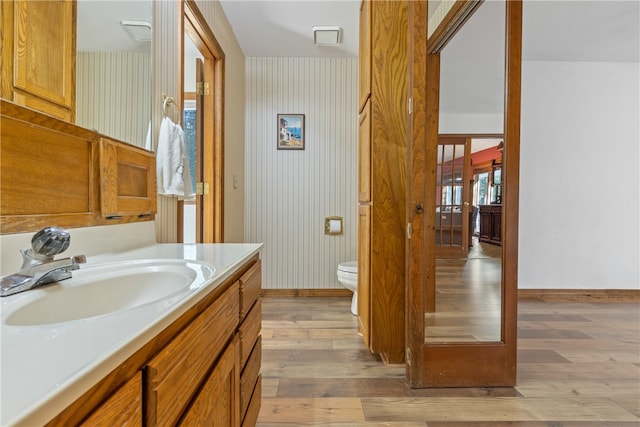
column 200, row 219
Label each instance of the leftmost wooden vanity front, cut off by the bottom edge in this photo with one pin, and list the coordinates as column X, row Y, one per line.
column 123, row 408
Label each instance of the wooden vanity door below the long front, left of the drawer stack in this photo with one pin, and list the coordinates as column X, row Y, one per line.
column 218, row 402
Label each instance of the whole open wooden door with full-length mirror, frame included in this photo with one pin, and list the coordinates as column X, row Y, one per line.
column 462, row 300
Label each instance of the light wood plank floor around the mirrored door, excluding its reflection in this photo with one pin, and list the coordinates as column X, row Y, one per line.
column 578, row 366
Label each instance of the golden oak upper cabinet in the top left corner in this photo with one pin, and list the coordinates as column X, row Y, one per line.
column 39, row 69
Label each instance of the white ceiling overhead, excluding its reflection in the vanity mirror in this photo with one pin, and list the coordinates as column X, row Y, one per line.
column 573, row 30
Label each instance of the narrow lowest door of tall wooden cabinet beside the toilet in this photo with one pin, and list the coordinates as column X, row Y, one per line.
column 364, row 269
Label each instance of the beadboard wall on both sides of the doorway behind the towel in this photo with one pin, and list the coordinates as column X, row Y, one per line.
column 166, row 79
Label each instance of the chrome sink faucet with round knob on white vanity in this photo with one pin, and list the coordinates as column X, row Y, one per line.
column 39, row 266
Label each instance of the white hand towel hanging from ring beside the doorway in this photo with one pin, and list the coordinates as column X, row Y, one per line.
column 172, row 167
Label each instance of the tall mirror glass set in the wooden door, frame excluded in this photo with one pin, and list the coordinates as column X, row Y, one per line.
column 468, row 290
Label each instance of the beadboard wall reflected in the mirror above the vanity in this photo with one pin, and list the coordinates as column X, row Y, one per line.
column 113, row 94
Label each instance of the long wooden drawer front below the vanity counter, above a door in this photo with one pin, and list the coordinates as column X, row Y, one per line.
column 177, row 371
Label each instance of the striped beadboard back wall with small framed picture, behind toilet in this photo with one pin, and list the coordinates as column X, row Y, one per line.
column 288, row 193
